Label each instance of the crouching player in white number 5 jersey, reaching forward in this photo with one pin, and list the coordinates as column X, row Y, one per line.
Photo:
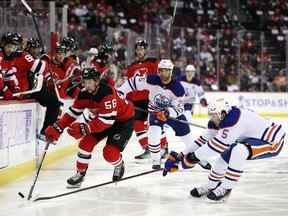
column 234, row 135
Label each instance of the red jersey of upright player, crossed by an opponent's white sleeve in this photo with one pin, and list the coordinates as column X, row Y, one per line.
column 148, row 66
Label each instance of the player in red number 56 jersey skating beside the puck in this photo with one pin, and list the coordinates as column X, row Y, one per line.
column 110, row 116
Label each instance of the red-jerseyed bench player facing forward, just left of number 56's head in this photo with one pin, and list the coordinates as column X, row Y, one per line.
column 65, row 73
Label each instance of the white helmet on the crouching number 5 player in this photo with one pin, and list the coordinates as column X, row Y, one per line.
column 219, row 107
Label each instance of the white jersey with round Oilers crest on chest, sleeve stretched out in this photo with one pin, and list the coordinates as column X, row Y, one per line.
column 161, row 96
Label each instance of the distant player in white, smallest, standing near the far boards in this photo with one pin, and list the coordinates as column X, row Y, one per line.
column 193, row 92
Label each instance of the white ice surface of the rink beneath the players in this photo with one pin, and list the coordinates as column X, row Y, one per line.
column 262, row 190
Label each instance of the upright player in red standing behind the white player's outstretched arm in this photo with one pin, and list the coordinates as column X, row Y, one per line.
column 142, row 65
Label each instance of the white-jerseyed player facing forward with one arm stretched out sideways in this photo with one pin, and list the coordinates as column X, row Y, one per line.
column 165, row 95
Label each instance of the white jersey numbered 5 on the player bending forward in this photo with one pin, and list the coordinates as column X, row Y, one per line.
column 238, row 125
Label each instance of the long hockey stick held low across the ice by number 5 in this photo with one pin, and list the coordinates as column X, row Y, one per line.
column 96, row 186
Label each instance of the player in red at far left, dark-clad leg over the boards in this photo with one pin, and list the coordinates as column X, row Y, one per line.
column 27, row 71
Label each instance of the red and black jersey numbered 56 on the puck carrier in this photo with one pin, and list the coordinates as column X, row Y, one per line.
column 106, row 107
